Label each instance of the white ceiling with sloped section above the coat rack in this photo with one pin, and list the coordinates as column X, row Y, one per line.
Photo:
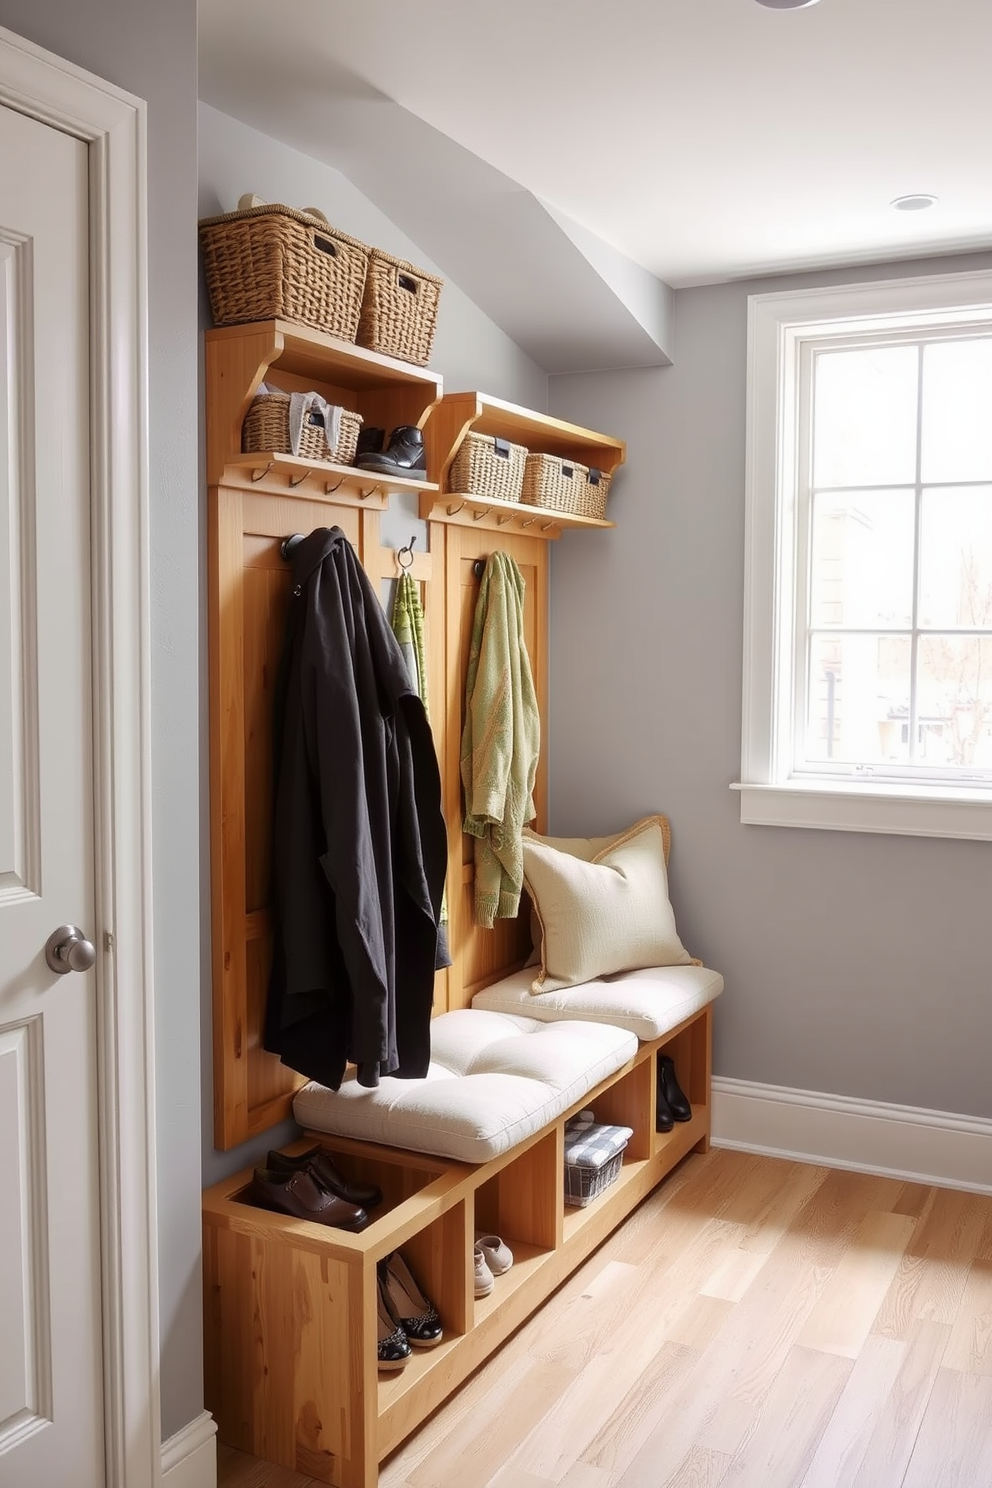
column 566, row 161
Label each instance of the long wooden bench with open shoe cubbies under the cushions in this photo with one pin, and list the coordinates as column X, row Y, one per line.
column 291, row 1350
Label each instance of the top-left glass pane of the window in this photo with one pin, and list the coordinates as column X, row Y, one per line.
column 865, row 417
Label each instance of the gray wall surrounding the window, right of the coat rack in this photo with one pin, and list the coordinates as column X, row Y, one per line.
column 854, row 963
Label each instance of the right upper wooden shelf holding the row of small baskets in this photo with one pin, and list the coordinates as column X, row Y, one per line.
column 478, row 413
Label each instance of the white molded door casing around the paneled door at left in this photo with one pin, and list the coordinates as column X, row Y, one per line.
column 112, row 126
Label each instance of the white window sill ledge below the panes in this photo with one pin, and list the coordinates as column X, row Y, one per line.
column 908, row 810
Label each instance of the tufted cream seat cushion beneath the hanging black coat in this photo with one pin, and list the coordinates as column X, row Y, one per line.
column 495, row 1080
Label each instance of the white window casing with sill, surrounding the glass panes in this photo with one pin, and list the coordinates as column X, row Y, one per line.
column 779, row 330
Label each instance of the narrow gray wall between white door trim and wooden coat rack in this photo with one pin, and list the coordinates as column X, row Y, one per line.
column 151, row 50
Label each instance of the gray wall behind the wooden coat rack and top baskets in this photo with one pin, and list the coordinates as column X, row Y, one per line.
column 471, row 352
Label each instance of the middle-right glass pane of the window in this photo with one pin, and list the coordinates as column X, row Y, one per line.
column 956, row 568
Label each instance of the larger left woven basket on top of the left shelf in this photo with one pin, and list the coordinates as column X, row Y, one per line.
column 274, row 263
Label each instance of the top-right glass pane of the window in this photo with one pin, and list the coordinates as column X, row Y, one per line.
column 957, row 441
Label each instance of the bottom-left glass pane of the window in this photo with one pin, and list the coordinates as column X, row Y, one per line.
column 859, row 699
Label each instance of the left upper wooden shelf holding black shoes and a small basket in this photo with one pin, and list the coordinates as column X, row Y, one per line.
column 384, row 391
